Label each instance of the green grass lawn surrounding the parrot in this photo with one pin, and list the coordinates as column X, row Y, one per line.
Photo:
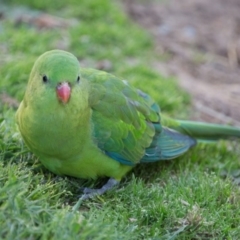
column 192, row 197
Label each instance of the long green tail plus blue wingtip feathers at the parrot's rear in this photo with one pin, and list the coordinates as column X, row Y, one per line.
column 177, row 137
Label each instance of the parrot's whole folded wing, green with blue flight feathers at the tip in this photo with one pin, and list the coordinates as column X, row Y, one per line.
column 126, row 122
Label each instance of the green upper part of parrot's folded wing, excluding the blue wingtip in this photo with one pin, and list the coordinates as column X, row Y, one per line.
column 122, row 119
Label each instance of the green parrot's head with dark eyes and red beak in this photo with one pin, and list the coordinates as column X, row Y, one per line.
column 56, row 80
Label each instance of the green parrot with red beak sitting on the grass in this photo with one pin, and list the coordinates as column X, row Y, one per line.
column 87, row 123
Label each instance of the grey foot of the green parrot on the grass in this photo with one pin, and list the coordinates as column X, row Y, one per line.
column 90, row 193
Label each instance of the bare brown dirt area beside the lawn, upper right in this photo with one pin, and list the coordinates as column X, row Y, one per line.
column 202, row 40
